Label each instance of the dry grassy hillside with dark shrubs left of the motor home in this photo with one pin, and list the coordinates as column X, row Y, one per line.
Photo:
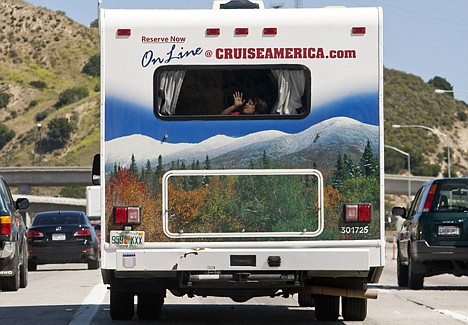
column 42, row 54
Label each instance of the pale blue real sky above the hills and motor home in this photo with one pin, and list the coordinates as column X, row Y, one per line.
column 426, row 38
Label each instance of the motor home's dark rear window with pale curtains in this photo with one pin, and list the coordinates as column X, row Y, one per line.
column 201, row 92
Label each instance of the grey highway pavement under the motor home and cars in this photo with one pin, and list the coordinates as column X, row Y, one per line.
column 71, row 294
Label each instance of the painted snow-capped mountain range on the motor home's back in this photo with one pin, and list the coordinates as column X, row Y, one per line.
column 321, row 142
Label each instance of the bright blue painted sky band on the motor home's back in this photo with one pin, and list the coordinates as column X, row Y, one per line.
column 363, row 108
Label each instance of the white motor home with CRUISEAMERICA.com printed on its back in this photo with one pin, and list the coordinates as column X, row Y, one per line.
column 285, row 201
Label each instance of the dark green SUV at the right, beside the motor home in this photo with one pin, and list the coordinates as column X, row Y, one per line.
column 433, row 239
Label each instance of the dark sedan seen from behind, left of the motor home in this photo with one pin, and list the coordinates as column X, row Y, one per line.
column 57, row 237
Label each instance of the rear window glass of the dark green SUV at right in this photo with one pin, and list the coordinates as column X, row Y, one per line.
column 452, row 197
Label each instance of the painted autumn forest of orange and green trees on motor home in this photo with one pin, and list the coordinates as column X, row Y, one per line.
column 236, row 204
